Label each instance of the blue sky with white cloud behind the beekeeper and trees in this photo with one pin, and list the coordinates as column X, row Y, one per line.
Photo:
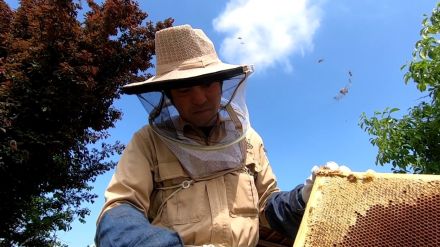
column 290, row 97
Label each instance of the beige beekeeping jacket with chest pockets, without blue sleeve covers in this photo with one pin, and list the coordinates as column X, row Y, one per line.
column 224, row 210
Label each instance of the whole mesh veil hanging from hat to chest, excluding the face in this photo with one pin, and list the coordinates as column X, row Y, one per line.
column 202, row 155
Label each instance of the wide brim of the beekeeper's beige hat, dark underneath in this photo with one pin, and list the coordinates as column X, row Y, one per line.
column 186, row 78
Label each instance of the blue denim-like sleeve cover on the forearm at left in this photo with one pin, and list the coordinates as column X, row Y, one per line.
column 124, row 225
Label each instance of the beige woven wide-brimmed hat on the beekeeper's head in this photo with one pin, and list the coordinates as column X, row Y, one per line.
column 185, row 57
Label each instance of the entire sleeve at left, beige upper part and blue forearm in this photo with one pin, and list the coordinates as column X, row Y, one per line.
column 123, row 220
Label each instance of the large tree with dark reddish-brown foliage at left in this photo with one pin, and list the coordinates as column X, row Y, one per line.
column 58, row 80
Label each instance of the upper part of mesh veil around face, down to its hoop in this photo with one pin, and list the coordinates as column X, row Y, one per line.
column 233, row 115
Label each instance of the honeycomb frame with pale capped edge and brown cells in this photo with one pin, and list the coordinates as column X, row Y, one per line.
column 372, row 209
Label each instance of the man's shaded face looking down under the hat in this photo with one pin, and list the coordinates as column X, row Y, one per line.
column 198, row 105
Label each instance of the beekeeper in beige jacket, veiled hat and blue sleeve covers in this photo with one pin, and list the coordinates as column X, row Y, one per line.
column 197, row 174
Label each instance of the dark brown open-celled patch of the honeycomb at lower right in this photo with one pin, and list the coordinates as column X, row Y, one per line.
column 397, row 225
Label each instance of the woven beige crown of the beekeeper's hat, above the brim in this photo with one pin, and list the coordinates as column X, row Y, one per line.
column 182, row 46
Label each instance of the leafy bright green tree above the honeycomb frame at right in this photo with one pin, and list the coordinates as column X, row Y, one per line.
column 412, row 143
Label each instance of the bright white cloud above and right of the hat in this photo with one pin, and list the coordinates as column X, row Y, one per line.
column 265, row 33
